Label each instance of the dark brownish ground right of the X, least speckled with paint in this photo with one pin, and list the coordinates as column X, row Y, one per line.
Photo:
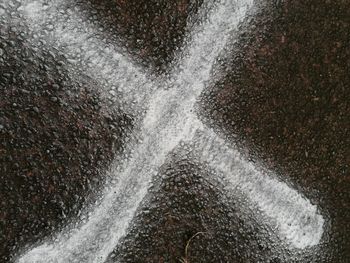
column 287, row 99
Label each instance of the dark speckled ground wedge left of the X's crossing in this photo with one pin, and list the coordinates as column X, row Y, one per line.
column 56, row 138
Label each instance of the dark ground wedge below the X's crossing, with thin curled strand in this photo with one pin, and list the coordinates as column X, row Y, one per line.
column 188, row 217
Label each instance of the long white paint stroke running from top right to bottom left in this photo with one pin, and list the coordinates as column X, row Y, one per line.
column 168, row 121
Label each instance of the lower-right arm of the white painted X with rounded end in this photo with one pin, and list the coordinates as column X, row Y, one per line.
column 298, row 221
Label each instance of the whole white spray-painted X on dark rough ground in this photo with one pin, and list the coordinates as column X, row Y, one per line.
column 170, row 119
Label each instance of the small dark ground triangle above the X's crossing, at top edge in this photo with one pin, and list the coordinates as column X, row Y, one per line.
column 151, row 30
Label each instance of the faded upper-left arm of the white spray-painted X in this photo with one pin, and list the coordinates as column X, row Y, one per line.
column 71, row 33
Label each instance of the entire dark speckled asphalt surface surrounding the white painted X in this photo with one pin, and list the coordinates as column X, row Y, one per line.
column 285, row 99
